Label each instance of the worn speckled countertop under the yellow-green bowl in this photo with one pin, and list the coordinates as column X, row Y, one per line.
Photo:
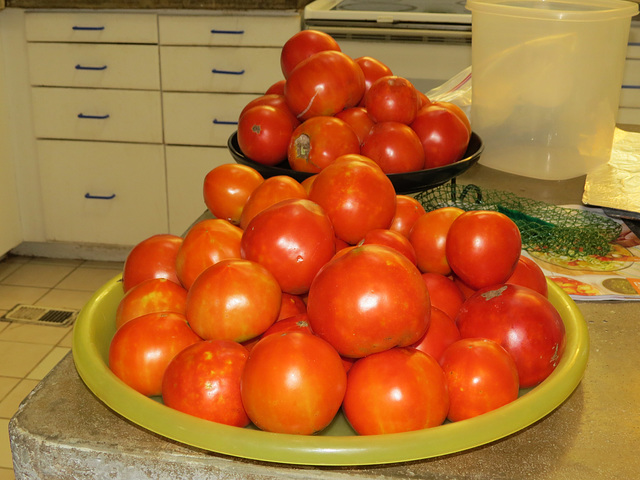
column 62, row 431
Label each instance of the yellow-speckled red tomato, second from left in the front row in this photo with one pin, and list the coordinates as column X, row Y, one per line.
column 203, row 380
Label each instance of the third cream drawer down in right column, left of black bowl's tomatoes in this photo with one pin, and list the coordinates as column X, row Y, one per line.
column 201, row 118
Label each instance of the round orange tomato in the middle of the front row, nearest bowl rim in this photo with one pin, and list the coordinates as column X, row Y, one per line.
column 293, row 383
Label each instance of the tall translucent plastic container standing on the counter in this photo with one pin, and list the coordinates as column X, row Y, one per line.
column 546, row 82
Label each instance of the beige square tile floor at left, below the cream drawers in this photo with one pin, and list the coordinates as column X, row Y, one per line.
column 28, row 352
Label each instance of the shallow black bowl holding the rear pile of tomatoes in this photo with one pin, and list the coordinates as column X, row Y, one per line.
column 404, row 183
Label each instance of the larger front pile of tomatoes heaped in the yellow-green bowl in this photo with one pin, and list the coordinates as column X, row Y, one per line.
column 298, row 300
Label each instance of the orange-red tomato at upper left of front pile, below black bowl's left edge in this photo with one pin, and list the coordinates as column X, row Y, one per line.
column 227, row 188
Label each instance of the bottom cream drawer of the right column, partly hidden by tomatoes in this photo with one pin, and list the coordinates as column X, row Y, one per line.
column 186, row 169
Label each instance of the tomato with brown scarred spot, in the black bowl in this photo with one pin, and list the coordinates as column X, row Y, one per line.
column 318, row 141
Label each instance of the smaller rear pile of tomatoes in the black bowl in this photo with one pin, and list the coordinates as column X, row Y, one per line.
column 329, row 105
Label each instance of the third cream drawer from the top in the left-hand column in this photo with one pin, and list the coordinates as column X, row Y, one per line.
column 85, row 114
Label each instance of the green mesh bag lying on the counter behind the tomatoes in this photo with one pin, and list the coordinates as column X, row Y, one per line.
column 544, row 227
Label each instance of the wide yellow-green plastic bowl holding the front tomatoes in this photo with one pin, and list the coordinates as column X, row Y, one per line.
column 337, row 445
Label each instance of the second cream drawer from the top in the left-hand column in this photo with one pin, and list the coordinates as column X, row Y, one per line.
column 93, row 65
